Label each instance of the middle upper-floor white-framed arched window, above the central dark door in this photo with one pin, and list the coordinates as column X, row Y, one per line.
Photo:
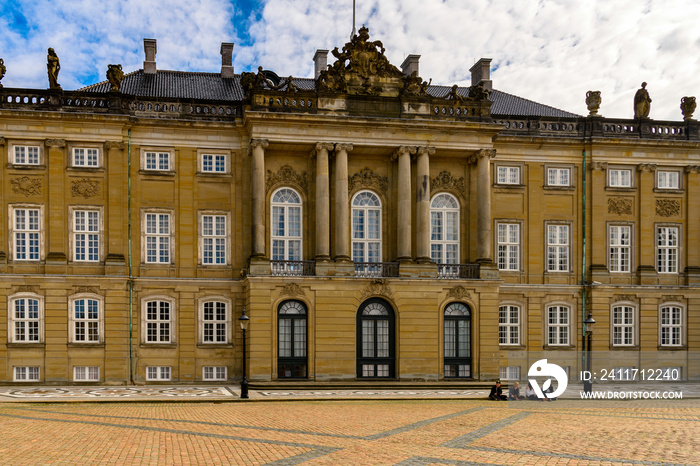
column 366, row 227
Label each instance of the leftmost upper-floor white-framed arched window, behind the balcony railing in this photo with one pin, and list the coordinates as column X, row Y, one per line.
column 286, row 225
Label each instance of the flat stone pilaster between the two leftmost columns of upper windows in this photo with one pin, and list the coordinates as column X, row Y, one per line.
column 56, row 213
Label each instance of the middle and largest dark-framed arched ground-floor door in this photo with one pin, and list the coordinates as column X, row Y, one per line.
column 375, row 339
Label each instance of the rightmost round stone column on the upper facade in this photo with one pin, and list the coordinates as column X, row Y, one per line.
column 484, row 245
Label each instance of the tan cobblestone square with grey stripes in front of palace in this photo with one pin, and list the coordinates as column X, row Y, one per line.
column 352, row 432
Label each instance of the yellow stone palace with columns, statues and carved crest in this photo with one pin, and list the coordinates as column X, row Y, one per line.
column 374, row 227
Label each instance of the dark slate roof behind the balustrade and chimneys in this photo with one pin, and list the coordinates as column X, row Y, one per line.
column 210, row 86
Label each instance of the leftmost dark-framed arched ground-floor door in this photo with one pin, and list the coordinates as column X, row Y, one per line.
column 291, row 340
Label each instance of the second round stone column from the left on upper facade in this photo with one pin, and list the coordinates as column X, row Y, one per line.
column 323, row 199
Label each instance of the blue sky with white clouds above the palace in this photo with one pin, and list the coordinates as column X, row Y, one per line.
column 549, row 51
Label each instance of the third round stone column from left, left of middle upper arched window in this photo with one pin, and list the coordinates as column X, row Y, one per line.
column 342, row 205
